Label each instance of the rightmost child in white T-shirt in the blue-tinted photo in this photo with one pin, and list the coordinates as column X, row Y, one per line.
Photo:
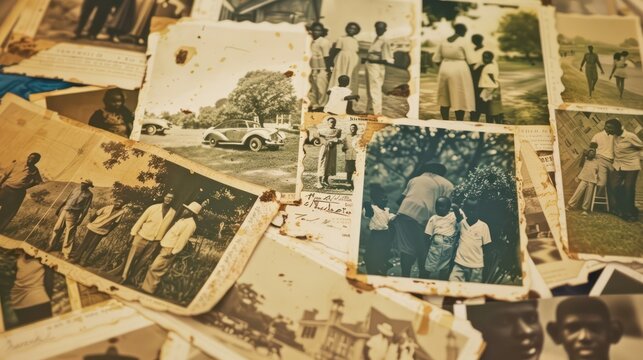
column 474, row 235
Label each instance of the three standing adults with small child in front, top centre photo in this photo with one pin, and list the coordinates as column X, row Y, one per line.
column 335, row 69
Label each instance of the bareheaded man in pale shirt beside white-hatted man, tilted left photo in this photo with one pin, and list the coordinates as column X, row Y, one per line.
column 146, row 235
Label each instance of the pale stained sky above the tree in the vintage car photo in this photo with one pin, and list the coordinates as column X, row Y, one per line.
column 222, row 54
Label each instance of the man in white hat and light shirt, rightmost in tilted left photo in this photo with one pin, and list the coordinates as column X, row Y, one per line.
column 171, row 245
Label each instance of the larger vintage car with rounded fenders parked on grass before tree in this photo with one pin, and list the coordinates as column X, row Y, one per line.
column 244, row 132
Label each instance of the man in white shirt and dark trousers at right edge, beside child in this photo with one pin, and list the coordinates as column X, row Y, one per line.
column 627, row 165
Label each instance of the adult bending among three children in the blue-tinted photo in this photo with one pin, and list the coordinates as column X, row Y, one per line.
column 445, row 242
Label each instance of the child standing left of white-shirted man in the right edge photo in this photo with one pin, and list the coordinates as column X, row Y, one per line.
column 588, row 178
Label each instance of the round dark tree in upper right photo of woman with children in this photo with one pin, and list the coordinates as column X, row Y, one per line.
column 520, row 32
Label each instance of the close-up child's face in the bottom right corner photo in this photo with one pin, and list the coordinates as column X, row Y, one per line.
column 585, row 336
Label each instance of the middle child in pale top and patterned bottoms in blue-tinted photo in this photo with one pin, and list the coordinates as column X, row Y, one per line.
column 442, row 234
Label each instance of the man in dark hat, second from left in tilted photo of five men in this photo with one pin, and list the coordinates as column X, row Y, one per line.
column 71, row 214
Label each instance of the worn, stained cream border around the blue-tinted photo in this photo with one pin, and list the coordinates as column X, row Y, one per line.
column 438, row 287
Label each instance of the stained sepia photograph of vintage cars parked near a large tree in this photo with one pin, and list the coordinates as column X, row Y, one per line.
column 232, row 94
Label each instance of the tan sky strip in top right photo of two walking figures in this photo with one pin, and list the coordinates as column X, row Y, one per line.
column 608, row 30
